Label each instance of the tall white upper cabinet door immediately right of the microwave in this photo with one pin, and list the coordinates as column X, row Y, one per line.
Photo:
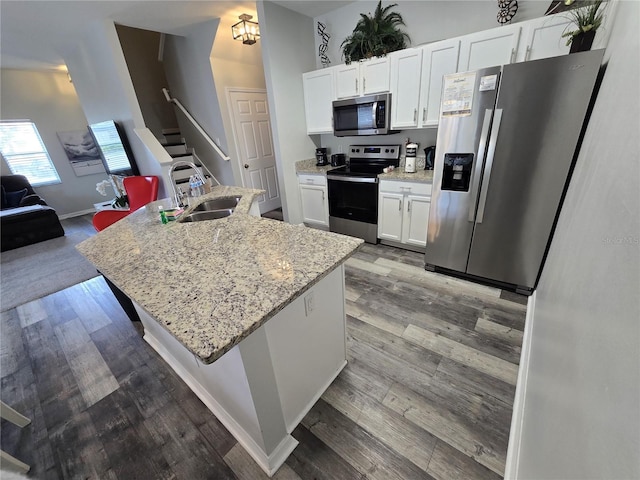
column 406, row 66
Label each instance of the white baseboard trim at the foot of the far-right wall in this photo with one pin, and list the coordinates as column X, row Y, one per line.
column 517, row 417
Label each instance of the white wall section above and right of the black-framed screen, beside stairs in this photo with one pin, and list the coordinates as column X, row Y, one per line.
column 101, row 78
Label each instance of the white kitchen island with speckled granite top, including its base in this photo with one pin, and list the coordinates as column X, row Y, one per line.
column 248, row 311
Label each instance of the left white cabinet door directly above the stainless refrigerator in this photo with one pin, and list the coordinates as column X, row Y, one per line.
column 489, row 48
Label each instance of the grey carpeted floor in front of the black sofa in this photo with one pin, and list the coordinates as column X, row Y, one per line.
column 38, row 270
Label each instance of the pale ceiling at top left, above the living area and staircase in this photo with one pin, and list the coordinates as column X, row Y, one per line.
column 33, row 34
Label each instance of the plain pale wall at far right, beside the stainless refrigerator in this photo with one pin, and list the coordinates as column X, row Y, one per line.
column 581, row 414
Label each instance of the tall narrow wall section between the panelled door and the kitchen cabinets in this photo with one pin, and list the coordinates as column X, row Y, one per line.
column 287, row 52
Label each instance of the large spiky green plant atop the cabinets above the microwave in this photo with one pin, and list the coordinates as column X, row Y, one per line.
column 375, row 36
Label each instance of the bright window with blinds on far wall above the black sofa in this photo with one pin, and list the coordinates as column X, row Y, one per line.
column 25, row 154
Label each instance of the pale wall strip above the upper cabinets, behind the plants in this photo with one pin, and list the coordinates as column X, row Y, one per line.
column 426, row 21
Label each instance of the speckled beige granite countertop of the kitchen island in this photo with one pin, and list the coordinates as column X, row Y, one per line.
column 211, row 283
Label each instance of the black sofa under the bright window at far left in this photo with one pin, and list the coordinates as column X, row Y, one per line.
column 25, row 218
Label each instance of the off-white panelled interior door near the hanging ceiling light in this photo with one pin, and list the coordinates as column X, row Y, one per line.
column 252, row 132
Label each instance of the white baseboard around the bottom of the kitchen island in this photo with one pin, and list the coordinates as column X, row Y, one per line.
column 268, row 463
